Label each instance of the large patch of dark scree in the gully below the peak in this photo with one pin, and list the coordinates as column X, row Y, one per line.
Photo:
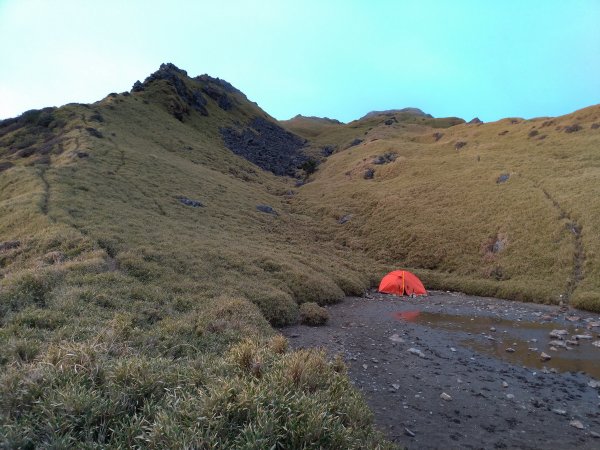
column 267, row 145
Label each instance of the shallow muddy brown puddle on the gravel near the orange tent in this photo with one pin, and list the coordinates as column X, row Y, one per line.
column 493, row 336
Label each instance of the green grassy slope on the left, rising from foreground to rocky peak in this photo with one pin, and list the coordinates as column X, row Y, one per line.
column 124, row 312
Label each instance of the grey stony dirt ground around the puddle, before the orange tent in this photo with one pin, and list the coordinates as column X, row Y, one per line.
column 495, row 403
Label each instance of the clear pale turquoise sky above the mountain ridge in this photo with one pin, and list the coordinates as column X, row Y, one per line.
column 340, row 59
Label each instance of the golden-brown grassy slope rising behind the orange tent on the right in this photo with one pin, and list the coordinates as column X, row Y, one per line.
column 439, row 210
